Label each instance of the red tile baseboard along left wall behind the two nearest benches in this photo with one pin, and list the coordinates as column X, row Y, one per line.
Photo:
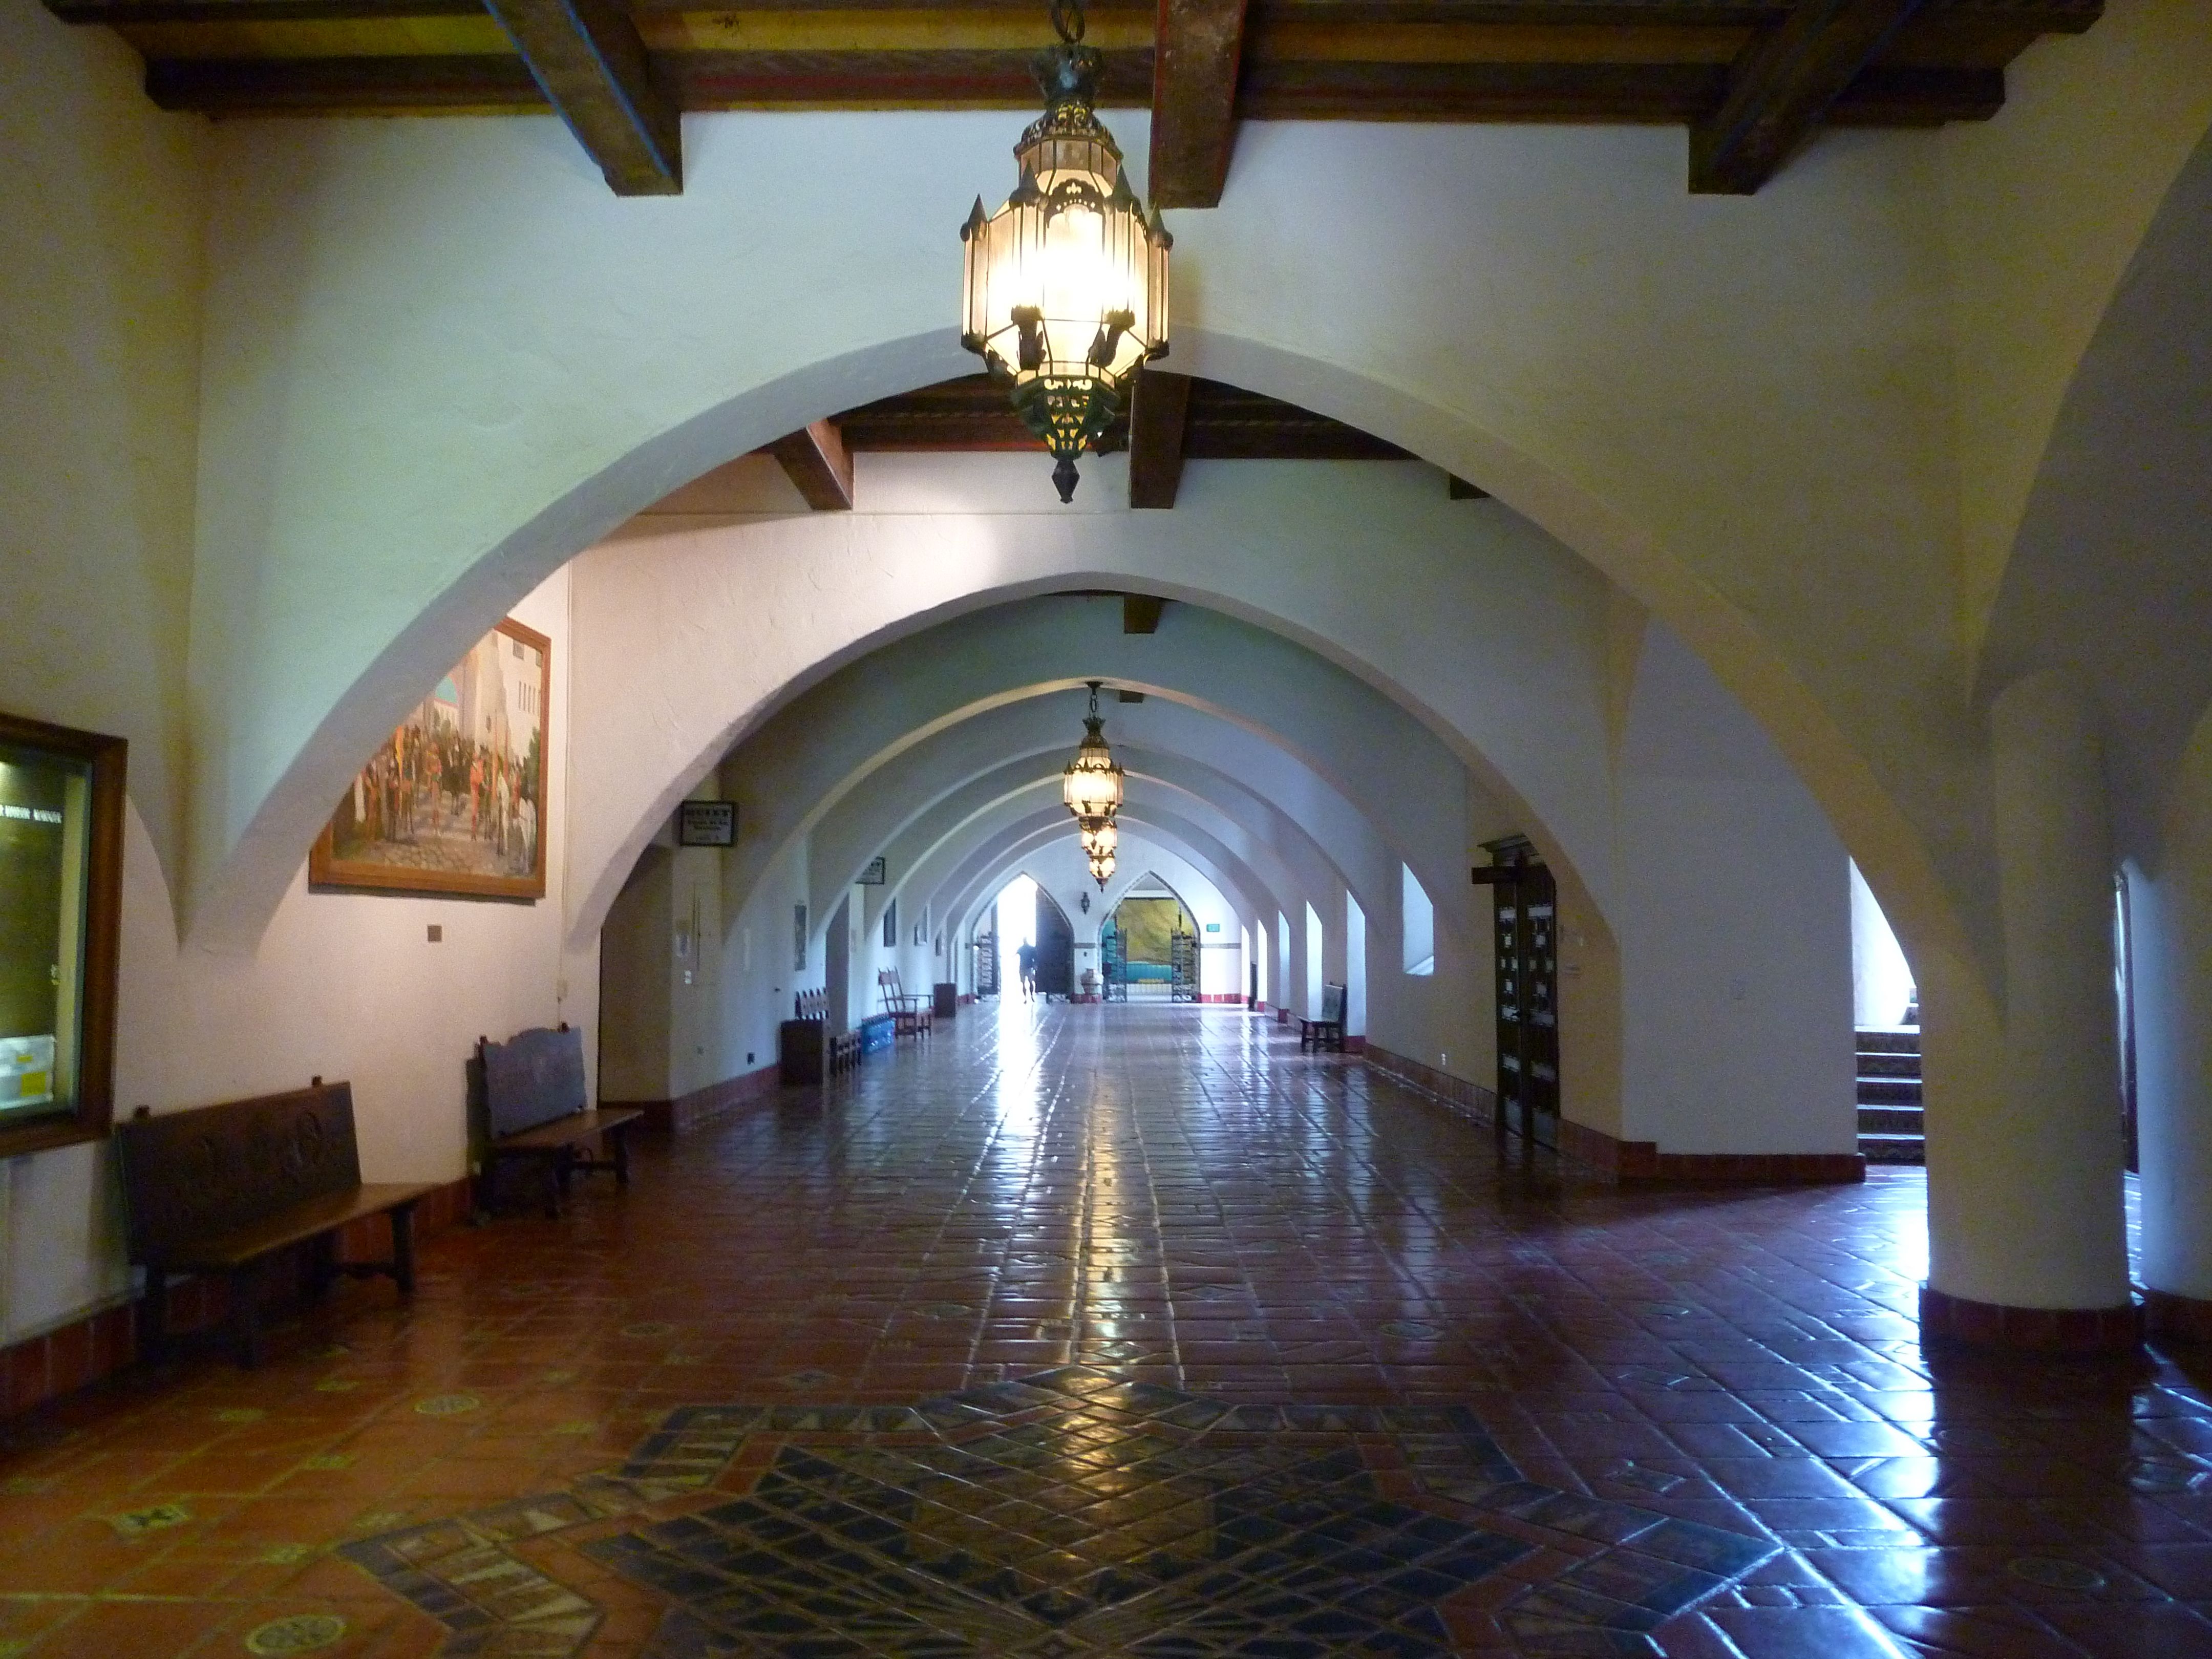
column 105, row 1342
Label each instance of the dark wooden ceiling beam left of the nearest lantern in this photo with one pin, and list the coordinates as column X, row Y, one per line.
column 594, row 70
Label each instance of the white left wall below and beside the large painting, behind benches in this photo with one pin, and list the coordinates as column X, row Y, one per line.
column 342, row 985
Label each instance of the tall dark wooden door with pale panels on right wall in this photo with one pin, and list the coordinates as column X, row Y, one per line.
column 1525, row 915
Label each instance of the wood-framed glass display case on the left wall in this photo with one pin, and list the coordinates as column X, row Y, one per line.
column 61, row 897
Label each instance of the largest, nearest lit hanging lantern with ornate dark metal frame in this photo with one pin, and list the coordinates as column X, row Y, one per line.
column 1065, row 289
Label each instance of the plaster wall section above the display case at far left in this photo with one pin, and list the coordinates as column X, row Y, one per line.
column 101, row 289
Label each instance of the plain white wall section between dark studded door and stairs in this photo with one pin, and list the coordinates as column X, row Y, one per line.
column 1735, row 930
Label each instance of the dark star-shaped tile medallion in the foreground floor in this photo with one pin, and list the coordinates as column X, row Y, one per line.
column 1070, row 1514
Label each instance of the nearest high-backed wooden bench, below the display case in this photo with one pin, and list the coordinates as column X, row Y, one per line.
column 225, row 1189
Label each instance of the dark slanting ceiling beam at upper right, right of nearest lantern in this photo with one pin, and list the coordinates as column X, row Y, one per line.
column 1784, row 85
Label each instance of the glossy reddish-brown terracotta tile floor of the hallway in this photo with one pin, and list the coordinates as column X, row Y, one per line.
column 1125, row 1333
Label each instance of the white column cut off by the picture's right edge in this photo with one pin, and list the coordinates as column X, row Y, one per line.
column 2171, row 926
